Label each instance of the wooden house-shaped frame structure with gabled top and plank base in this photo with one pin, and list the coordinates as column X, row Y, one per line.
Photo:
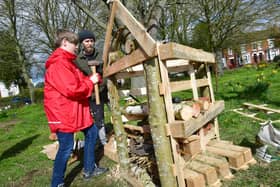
column 187, row 153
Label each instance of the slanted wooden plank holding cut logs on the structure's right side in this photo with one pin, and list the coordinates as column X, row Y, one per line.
column 181, row 129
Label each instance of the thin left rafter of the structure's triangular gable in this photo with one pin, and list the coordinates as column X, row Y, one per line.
column 108, row 36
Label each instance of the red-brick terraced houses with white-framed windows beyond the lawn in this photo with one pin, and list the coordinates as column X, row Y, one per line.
column 252, row 51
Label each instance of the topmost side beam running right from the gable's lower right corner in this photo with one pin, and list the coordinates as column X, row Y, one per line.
column 174, row 50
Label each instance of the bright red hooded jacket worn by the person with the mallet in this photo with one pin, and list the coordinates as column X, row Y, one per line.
column 66, row 94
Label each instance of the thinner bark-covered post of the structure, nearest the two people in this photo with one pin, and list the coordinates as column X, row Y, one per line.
column 120, row 134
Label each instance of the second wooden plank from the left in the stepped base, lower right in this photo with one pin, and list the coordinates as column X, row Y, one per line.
column 208, row 171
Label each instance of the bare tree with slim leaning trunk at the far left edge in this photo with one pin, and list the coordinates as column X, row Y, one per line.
column 14, row 19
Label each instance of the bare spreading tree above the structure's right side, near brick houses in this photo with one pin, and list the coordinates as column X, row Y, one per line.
column 214, row 23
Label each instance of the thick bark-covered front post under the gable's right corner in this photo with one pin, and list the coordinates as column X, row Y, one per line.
column 157, row 121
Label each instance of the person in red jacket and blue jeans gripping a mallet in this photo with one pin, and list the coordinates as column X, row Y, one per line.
column 66, row 105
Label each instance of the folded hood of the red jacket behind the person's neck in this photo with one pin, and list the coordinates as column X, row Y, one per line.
column 59, row 53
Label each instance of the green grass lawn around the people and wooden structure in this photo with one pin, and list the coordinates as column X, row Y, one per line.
column 24, row 131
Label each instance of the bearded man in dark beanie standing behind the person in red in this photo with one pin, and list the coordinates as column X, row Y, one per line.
column 89, row 53
